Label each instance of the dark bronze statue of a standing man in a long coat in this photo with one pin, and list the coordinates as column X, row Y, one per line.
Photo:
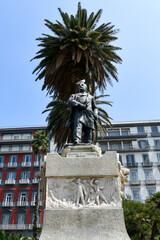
column 83, row 114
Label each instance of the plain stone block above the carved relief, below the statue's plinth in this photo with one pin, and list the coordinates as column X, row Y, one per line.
column 58, row 166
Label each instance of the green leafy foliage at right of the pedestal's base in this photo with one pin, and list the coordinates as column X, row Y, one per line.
column 143, row 219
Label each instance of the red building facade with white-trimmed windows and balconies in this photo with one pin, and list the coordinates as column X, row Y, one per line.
column 18, row 183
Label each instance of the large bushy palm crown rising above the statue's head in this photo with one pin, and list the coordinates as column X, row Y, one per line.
column 77, row 49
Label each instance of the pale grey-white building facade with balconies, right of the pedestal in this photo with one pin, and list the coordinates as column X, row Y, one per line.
column 138, row 145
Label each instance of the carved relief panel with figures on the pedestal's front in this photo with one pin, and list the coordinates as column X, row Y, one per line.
column 82, row 192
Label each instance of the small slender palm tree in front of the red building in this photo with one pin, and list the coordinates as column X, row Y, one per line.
column 40, row 145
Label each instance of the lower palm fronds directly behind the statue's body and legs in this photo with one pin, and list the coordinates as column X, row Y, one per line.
column 59, row 113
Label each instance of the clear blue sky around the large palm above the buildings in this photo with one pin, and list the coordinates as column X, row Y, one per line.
column 135, row 97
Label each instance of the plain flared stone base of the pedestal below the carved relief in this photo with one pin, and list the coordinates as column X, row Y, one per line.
column 84, row 224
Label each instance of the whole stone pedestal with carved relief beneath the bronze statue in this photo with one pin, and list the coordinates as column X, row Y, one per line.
column 82, row 197
